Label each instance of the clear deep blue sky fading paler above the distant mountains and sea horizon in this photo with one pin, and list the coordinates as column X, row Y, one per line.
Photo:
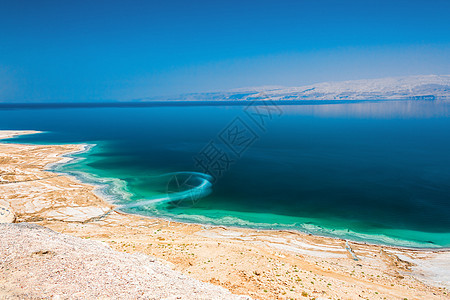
column 93, row 50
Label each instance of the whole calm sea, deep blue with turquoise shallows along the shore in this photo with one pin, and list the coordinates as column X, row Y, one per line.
column 375, row 172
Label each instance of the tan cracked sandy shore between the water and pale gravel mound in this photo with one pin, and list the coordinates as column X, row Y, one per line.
column 264, row 264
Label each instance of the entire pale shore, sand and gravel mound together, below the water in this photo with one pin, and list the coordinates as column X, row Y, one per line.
column 70, row 243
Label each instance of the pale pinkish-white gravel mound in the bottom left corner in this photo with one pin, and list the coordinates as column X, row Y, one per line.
column 37, row 262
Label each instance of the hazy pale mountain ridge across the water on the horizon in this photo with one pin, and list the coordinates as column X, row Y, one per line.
column 427, row 87
